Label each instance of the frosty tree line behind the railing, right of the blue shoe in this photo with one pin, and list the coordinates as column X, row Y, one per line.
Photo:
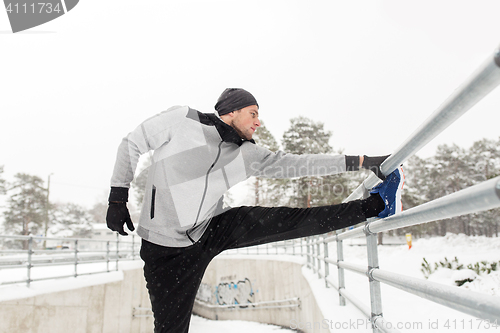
column 452, row 169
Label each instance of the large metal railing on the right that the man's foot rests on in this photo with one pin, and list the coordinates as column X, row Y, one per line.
column 474, row 199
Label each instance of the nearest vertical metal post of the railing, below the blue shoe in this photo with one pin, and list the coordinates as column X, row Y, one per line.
column 375, row 293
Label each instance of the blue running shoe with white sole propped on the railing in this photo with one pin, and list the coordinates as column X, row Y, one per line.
column 390, row 191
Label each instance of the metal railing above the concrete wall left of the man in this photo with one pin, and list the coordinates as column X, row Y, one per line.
column 26, row 257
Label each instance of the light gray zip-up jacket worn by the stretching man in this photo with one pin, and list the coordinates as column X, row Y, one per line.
column 197, row 158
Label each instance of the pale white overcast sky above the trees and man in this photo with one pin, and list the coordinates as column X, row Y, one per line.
column 372, row 71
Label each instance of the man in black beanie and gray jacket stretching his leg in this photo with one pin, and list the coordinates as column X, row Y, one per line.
column 197, row 158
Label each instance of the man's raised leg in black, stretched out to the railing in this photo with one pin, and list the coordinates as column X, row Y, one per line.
column 247, row 226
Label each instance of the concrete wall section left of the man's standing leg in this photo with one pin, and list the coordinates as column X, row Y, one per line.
column 100, row 308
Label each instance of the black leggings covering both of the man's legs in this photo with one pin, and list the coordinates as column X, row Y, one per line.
column 174, row 274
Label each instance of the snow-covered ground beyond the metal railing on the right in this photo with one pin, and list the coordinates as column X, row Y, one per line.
column 410, row 313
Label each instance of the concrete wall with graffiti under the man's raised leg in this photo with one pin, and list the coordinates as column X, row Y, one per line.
column 258, row 280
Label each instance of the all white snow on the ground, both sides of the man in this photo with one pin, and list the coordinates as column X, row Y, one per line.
column 407, row 312
